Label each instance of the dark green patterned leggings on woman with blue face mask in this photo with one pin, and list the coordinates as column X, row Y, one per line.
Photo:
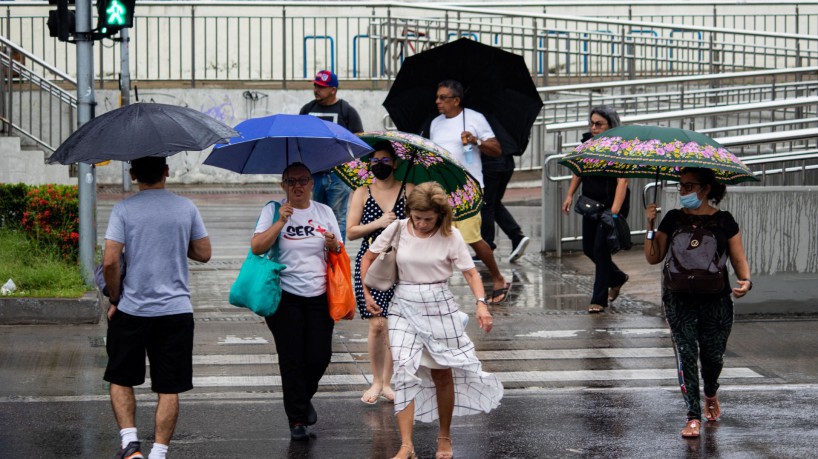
column 699, row 326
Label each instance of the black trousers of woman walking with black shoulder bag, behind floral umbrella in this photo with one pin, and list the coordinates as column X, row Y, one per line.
column 595, row 247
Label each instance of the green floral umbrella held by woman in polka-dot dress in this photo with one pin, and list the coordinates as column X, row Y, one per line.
column 422, row 161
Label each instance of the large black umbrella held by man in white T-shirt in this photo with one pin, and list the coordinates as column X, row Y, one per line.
column 497, row 84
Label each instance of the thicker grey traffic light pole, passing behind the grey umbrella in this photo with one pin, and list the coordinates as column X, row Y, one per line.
column 85, row 112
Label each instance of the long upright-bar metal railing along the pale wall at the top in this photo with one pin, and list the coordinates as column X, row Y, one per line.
column 288, row 41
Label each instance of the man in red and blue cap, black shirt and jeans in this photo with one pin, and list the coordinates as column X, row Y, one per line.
column 328, row 189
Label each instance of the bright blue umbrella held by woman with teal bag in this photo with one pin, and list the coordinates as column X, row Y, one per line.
column 267, row 145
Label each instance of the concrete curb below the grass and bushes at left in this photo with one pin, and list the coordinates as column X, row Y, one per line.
column 50, row 311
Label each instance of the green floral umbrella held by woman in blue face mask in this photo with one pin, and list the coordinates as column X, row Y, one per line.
column 655, row 152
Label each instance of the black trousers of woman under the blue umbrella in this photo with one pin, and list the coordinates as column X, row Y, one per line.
column 302, row 329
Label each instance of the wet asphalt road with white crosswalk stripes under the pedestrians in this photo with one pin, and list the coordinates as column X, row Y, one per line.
column 576, row 385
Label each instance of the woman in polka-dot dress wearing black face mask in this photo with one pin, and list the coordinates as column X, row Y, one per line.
column 371, row 209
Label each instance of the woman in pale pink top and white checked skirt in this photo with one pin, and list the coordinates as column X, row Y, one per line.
column 437, row 374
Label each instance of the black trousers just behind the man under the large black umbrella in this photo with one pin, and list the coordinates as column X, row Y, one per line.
column 495, row 181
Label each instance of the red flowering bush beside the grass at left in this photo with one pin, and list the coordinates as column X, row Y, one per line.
column 51, row 218
